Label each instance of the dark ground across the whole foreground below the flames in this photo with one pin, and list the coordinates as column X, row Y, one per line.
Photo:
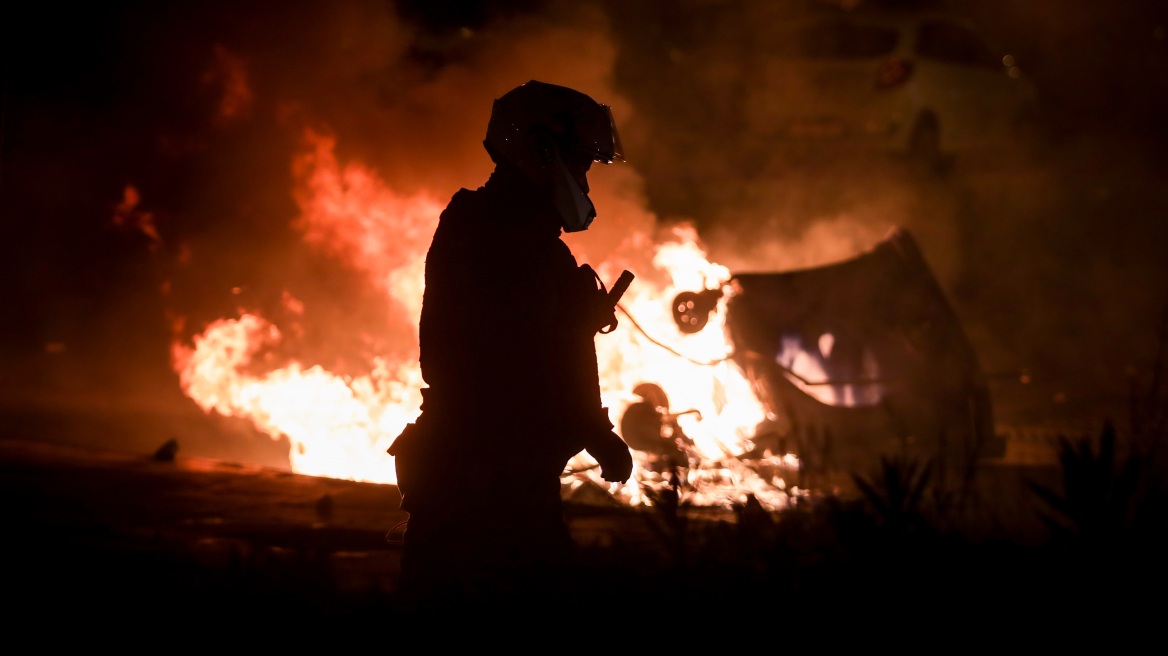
column 152, row 546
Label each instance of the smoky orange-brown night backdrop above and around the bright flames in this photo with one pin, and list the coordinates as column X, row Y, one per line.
column 1058, row 262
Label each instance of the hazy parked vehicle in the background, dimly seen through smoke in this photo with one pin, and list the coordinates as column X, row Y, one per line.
column 923, row 85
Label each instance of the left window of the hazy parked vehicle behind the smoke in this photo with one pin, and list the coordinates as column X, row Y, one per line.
column 838, row 40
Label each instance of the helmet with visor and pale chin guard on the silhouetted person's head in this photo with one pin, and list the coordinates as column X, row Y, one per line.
column 552, row 134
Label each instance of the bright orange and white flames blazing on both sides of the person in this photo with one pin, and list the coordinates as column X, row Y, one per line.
column 340, row 427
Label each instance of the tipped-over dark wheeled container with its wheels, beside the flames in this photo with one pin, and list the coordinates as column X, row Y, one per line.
column 852, row 361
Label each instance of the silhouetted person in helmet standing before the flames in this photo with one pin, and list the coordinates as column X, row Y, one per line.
column 509, row 357
